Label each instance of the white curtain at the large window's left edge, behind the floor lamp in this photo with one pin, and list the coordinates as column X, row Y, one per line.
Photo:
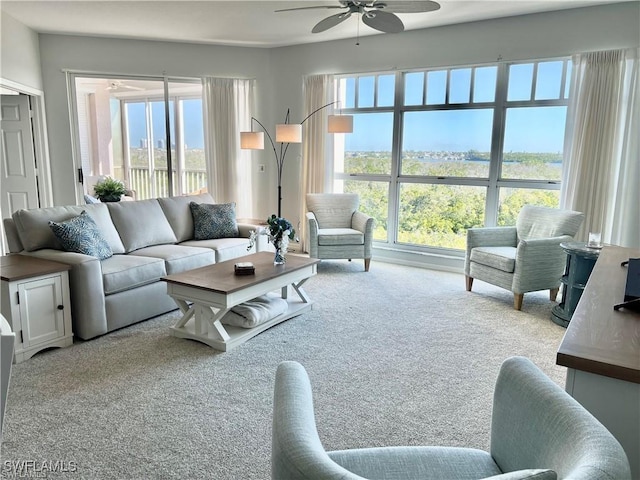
column 318, row 90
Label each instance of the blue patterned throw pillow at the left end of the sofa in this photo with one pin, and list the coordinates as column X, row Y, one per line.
column 81, row 235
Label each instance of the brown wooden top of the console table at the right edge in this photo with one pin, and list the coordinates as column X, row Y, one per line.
column 600, row 339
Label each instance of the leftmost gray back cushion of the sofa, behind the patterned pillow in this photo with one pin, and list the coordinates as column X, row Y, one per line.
column 34, row 232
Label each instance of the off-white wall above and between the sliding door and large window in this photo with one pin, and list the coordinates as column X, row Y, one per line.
column 279, row 72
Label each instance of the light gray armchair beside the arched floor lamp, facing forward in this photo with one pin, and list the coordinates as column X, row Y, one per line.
column 337, row 229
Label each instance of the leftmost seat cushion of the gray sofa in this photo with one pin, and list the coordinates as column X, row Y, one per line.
column 123, row 272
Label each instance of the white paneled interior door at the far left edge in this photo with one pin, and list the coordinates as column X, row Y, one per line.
column 17, row 158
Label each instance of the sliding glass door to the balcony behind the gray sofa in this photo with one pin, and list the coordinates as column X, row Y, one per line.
column 122, row 133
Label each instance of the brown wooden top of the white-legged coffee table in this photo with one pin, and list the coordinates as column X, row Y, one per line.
column 221, row 277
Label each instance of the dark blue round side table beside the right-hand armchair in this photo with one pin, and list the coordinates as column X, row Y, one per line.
column 580, row 262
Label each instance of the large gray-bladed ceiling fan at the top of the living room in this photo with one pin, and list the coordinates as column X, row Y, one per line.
column 378, row 14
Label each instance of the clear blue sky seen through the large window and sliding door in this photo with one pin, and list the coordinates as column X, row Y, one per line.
column 528, row 129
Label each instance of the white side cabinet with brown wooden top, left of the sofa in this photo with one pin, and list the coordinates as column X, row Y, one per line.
column 35, row 302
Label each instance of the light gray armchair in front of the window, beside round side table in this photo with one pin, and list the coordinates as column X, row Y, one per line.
column 524, row 258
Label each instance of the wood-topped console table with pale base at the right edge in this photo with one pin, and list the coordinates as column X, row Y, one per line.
column 601, row 350
